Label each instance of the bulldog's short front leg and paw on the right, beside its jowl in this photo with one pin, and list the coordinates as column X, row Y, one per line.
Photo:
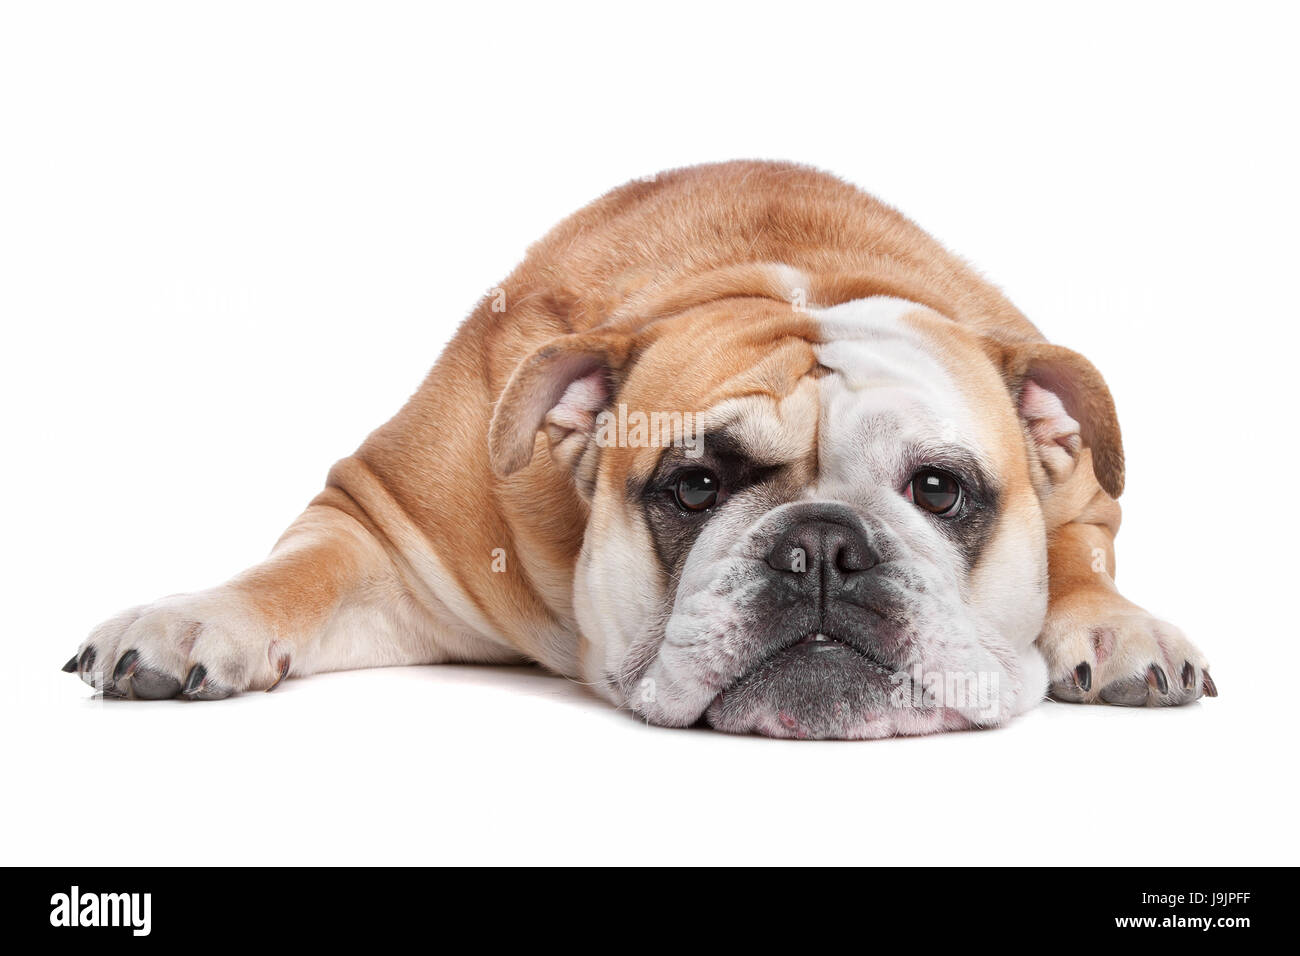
column 1102, row 648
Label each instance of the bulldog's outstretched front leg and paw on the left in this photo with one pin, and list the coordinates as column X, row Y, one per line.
column 332, row 596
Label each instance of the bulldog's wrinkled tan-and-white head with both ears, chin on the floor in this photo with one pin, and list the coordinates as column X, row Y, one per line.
column 822, row 524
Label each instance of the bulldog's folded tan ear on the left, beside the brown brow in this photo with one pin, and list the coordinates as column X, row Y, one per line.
column 560, row 390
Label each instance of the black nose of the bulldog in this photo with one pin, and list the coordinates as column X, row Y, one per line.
column 822, row 557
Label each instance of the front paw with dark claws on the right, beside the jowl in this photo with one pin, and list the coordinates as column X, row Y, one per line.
column 1103, row 650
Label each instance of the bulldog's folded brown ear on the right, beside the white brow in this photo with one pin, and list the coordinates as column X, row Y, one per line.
column 1067, row 408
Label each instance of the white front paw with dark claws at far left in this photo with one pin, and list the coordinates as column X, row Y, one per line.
column 201, row 647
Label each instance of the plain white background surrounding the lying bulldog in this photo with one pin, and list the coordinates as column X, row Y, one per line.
column 235, row 237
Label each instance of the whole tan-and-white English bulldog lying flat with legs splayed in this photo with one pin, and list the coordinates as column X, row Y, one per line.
column 735, row 445
